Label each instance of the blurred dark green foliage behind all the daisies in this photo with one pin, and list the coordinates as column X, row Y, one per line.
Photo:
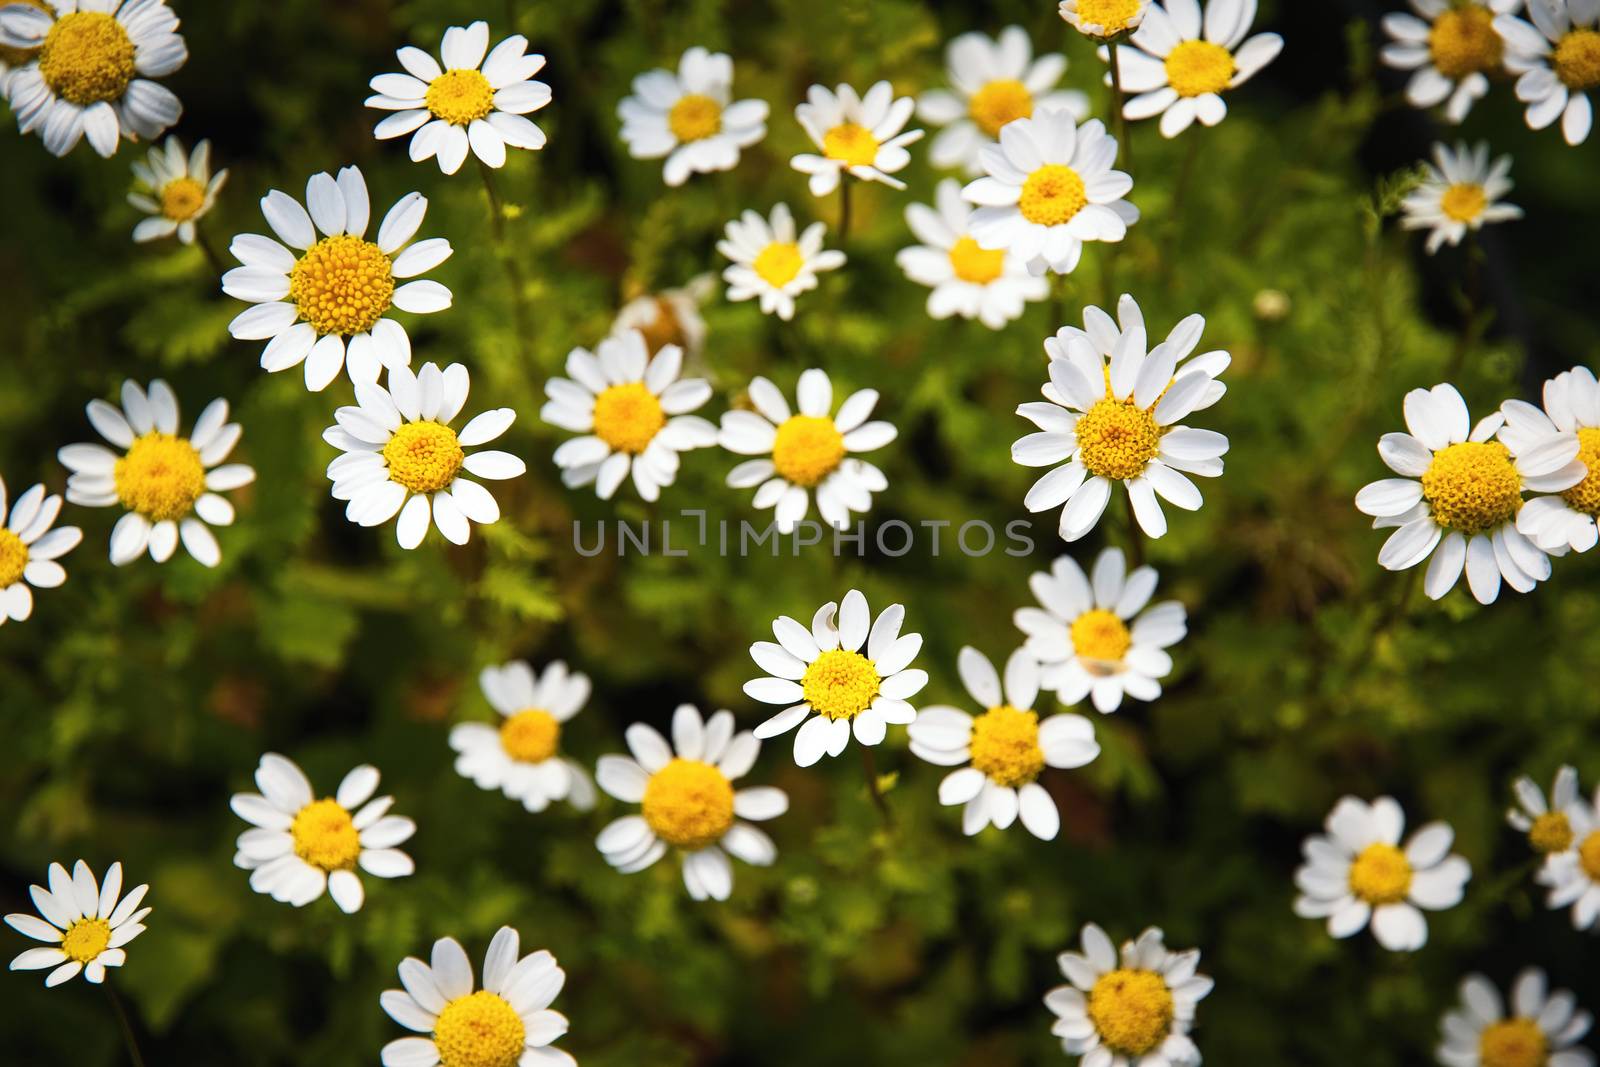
column 138, row 700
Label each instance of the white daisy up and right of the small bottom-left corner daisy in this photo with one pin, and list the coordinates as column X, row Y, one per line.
column 302, row 845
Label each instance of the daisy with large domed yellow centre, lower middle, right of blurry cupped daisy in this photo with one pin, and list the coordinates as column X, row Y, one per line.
column 689, row 802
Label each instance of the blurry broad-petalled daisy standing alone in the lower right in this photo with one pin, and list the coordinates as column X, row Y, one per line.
column 1359, row 873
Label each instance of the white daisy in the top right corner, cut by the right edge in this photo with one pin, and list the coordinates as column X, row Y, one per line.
column 1558, row 58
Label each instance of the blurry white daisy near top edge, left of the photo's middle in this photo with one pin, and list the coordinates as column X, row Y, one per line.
column 690, row 118
